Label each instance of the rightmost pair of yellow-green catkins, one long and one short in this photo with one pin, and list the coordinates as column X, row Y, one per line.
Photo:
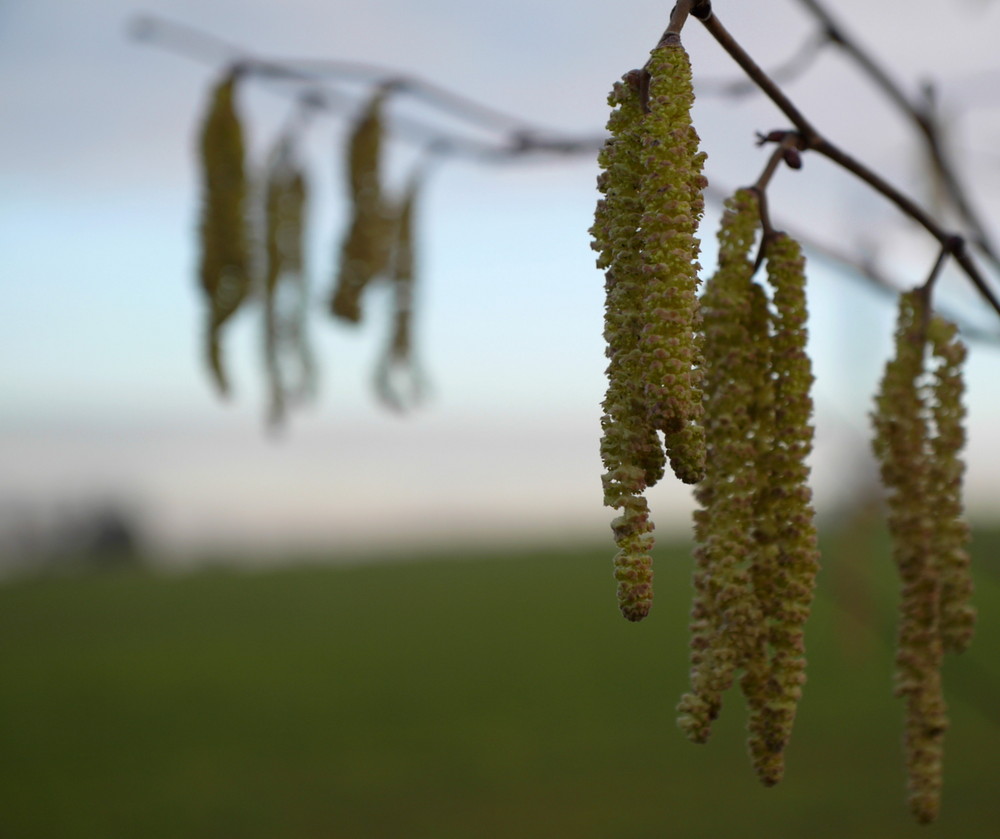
column 919, row 434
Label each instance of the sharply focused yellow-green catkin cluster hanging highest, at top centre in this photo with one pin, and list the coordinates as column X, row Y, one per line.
column 644, row 230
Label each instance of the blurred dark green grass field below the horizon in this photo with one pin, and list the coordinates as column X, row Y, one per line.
column 478, row 696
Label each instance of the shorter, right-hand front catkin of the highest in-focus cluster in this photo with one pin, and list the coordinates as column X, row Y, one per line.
column 671, row 196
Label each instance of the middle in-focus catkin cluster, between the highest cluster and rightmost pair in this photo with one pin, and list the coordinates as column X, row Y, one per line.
column 756, row 556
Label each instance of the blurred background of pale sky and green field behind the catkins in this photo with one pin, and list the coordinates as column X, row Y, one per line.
column 431, row 697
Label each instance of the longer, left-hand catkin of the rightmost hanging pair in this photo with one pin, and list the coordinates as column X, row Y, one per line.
column 901, row 444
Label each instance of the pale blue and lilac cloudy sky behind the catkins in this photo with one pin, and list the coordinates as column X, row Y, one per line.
column 103, row 392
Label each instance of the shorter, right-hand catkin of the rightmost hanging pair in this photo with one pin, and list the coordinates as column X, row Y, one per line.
column 951, row 532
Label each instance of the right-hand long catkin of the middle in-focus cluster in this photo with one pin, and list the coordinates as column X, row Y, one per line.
column 786, row 558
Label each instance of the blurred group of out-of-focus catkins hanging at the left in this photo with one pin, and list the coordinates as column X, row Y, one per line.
column 252, row 233
